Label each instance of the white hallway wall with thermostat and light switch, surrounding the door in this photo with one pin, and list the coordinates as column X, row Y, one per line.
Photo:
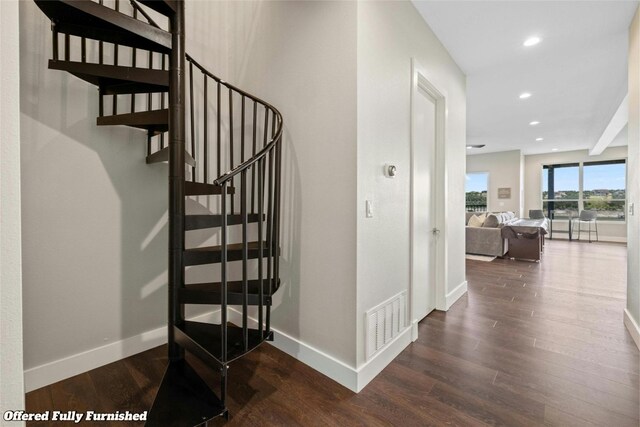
column 389, row 35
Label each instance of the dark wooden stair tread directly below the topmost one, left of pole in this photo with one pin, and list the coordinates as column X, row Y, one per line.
column 116, row 79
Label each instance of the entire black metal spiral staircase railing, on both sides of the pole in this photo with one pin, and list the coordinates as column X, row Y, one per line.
column 234, row 138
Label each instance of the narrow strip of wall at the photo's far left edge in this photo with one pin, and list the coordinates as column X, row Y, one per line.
column 11, row 382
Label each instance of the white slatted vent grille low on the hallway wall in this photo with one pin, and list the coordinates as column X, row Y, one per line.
column 384, row 322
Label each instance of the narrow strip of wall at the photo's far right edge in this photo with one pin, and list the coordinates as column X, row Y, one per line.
column 633, row 182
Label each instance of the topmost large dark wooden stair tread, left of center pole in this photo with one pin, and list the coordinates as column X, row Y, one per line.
column 95, row 21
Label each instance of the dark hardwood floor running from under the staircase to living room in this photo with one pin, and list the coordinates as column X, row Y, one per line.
column 530, row 344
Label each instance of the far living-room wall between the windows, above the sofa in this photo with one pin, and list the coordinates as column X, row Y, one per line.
column 504, row 171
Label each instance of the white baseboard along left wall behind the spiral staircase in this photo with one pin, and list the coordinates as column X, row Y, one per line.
column 61, row 369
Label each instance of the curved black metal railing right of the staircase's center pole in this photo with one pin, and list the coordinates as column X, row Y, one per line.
column 246, row 148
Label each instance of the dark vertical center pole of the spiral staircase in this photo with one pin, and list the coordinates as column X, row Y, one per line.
column 176, row 175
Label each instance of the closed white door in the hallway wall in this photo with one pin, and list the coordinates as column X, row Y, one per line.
column 424, row 237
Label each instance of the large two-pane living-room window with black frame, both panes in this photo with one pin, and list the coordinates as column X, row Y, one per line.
column 602, row 188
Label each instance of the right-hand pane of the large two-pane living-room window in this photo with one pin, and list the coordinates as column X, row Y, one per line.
column 604, row 189
